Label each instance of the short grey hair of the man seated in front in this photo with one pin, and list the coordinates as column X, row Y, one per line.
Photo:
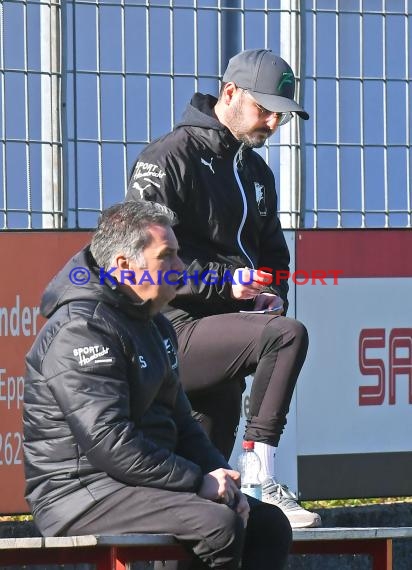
column 124, row 228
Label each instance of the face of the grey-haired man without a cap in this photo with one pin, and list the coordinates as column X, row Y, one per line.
column 158, row 280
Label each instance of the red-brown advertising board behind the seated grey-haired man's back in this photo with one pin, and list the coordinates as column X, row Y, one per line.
column 29, row 260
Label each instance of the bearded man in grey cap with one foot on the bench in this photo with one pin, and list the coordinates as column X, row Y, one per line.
column 225, row 199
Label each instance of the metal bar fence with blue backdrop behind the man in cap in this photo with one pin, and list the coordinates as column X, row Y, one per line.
column 85, row 84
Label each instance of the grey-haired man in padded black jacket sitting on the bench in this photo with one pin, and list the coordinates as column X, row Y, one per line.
column 110, row 445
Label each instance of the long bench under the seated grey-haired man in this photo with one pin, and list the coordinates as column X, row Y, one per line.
column 115, row 552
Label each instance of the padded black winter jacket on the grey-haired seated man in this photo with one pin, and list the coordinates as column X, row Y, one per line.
column 103, row 405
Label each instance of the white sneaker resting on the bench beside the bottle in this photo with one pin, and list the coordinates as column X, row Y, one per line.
column 276, row 494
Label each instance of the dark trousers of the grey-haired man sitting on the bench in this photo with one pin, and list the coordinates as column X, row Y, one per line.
column 212, row 531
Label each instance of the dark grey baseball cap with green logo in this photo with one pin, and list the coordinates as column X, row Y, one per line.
column 267, row 77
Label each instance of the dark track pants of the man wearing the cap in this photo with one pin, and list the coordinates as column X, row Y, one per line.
column 217, row 352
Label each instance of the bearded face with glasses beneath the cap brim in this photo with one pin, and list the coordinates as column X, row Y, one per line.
column 249, row 122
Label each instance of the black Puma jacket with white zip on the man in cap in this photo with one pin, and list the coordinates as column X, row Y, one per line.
column 225, row 199
